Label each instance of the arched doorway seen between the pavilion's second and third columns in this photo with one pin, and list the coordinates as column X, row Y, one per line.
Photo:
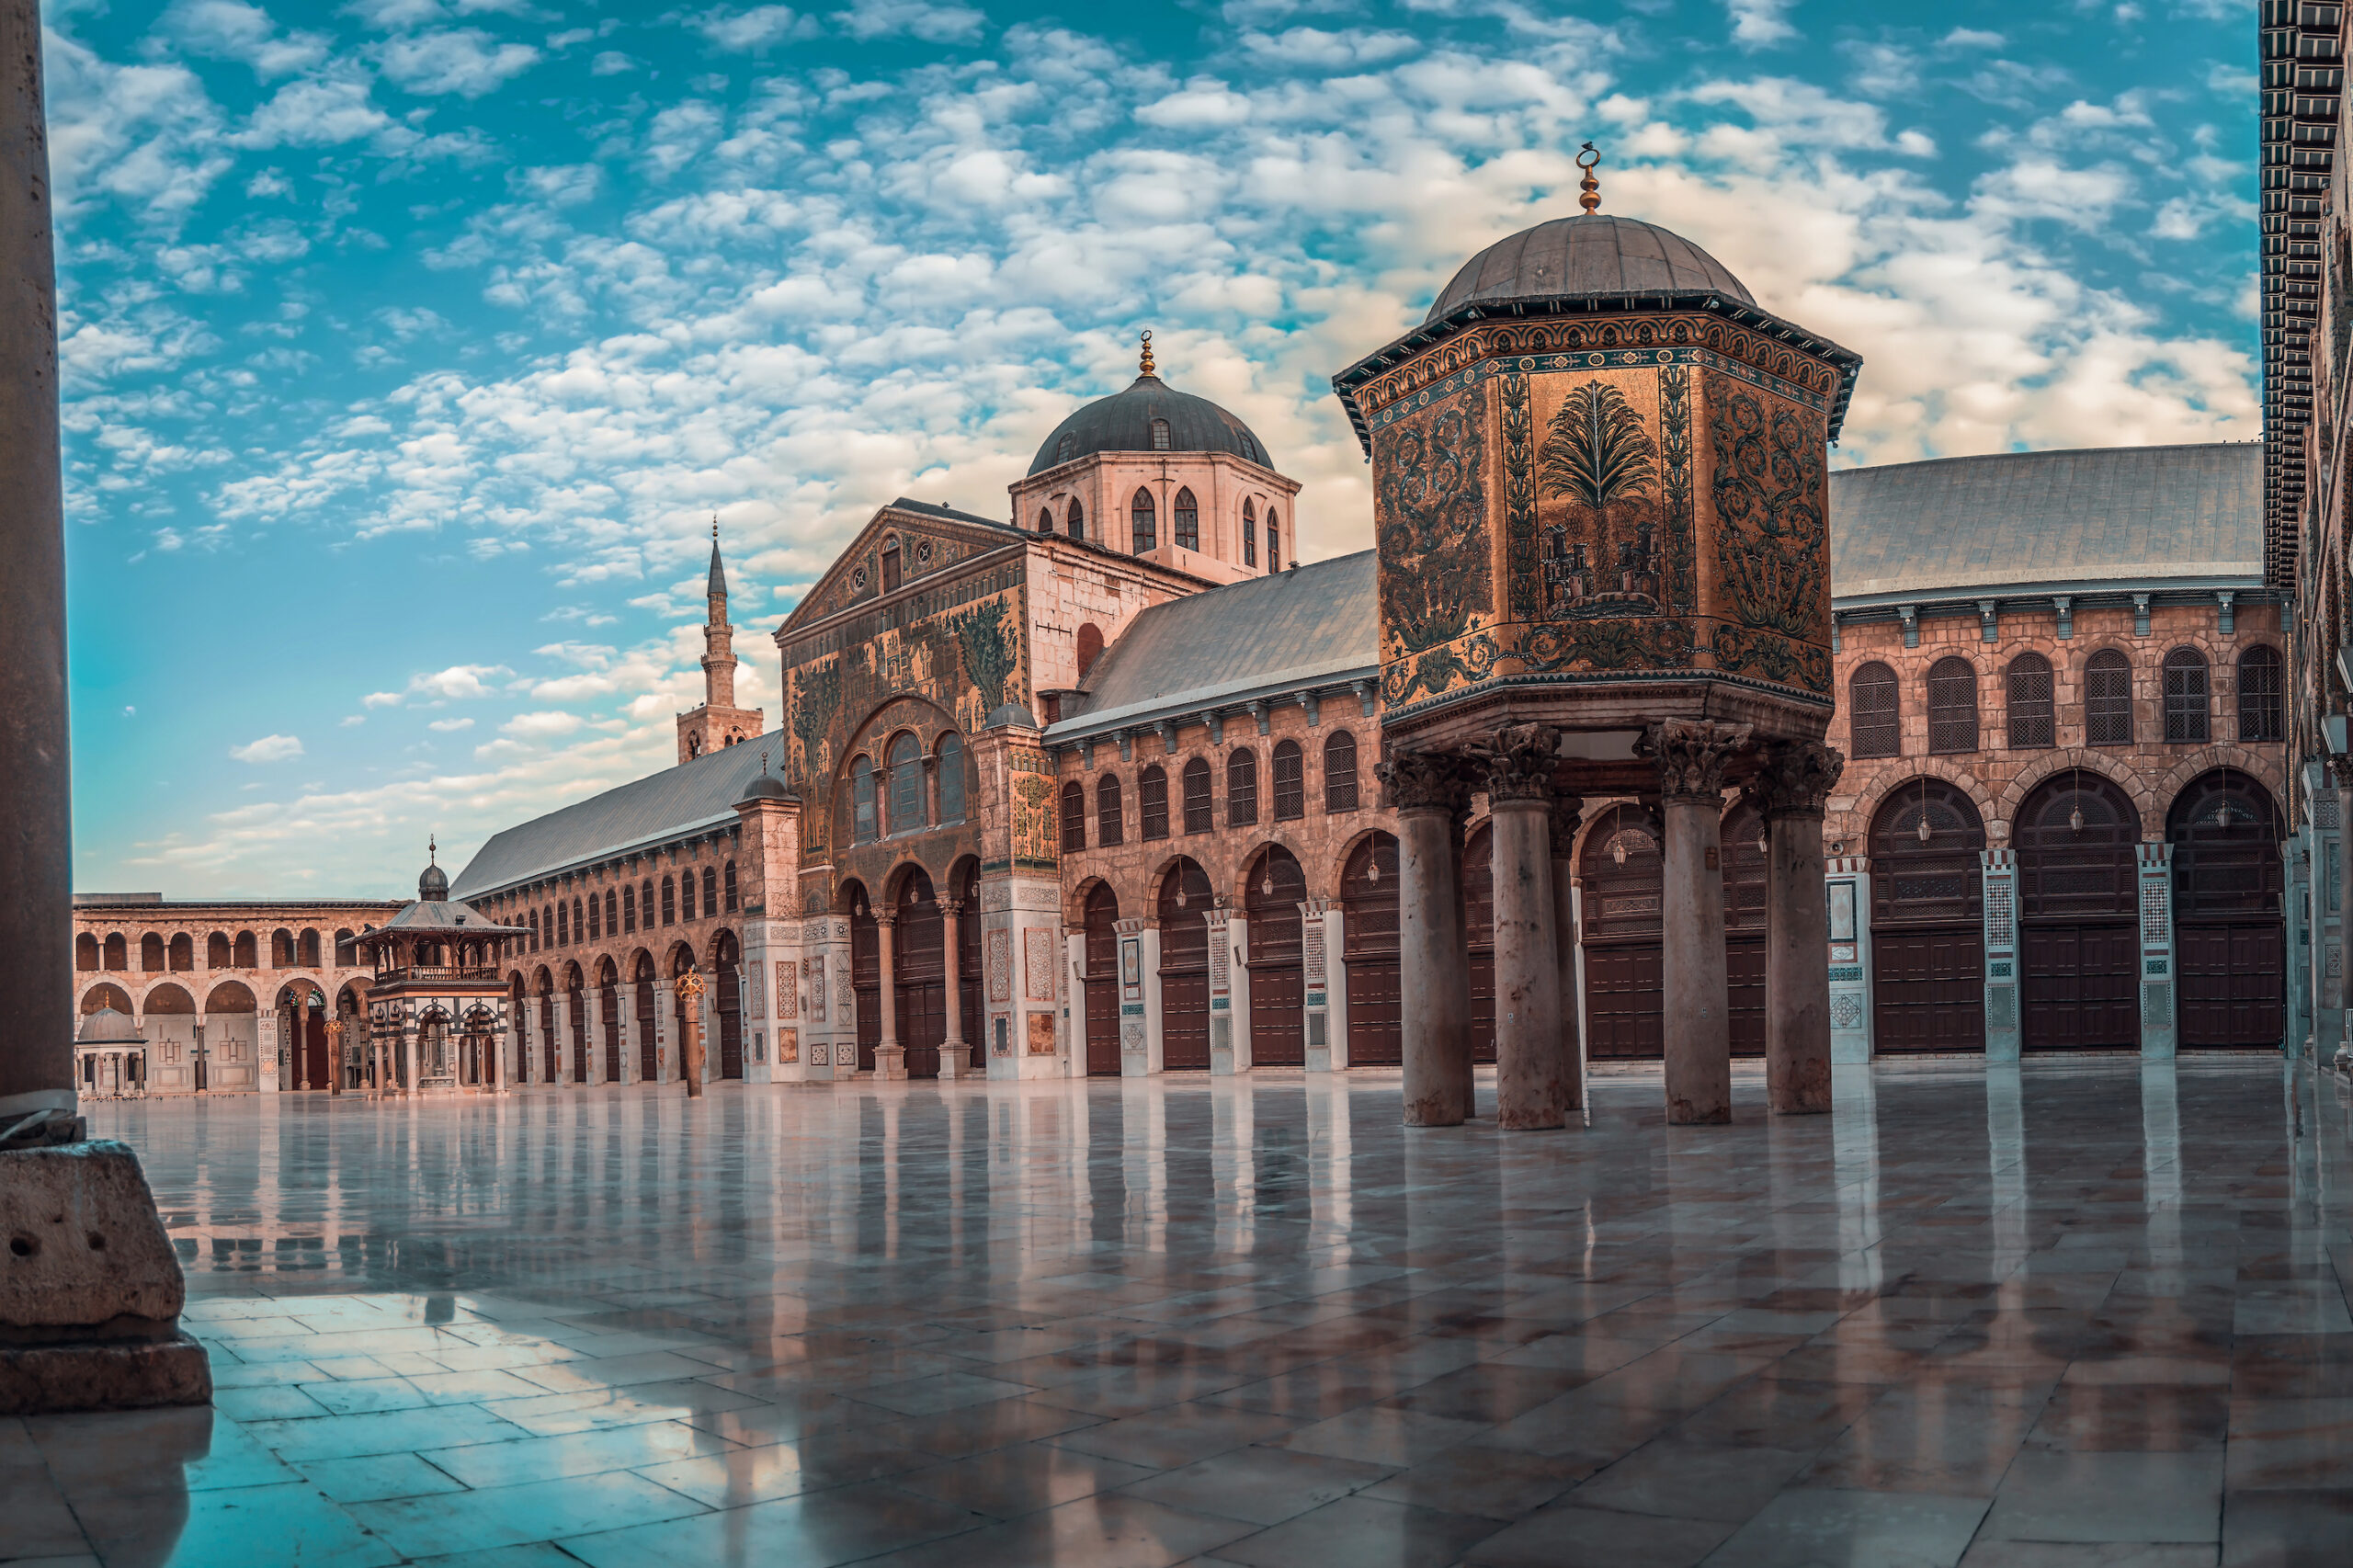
column 1625, row 959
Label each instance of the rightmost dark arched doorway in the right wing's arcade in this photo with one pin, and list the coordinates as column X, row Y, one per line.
column 2229, row 941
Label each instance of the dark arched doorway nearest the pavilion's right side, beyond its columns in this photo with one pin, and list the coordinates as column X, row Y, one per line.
column 1928, row 924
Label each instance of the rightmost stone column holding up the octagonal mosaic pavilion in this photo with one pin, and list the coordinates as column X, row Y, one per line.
column 1792, row 792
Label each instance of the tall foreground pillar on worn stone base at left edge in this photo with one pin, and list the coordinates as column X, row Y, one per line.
column 91, row 1289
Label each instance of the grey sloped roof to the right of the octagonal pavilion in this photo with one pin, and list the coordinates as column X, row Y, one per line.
column 2020, row 519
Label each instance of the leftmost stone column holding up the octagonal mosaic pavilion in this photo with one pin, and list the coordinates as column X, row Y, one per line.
column 1434, row 969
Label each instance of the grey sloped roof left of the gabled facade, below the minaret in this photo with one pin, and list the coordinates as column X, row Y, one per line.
column 644, row 811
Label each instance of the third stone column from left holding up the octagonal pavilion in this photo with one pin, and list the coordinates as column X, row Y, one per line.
column 1693, row 759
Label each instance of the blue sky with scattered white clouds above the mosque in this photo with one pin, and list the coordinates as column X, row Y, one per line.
column 411, row 347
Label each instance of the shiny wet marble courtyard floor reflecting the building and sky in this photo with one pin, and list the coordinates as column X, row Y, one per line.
column 2077, row 1313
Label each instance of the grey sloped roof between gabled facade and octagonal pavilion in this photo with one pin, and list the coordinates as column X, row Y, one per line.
column 1277, row 632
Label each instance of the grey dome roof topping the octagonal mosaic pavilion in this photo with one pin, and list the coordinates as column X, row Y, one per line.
column 1587, row 255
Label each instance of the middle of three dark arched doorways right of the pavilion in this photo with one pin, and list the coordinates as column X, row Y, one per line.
column 2079, row 938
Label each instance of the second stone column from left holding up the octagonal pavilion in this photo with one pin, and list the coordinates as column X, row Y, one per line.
column 1528, row 1065
